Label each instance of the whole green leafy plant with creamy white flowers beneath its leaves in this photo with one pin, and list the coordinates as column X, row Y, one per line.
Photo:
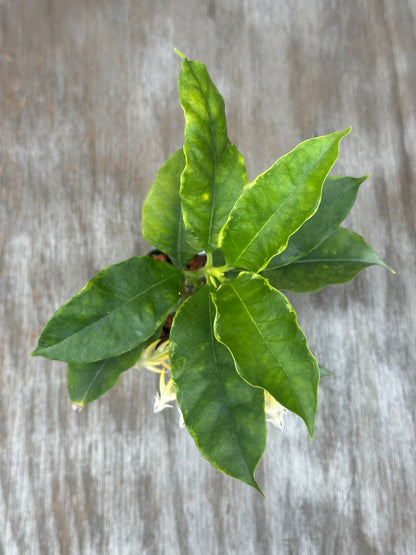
column 221, row 334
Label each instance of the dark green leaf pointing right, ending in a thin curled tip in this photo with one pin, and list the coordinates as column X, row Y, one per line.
column 337, row 260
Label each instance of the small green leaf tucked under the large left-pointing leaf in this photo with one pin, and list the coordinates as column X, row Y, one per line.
column 89, row 381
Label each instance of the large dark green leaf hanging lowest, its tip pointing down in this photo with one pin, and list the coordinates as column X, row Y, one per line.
column 224, row 415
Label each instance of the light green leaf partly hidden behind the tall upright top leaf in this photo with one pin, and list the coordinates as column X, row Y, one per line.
column 162, row 219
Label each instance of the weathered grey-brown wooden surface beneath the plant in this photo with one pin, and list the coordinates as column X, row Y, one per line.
column 88, row 112
